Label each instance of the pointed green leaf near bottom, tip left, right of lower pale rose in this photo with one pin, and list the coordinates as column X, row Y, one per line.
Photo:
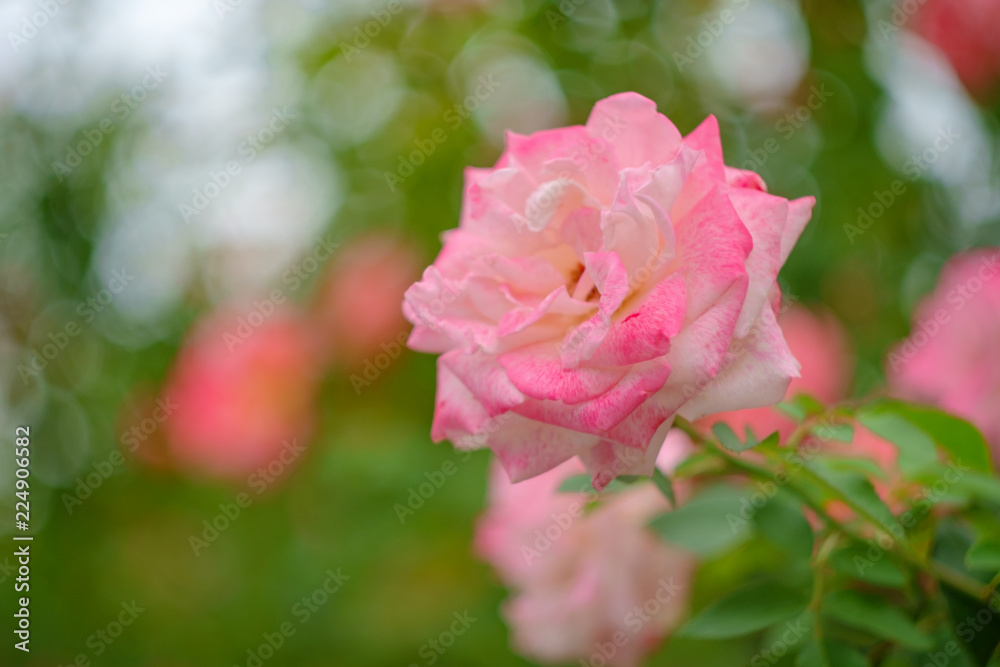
column 747, row 610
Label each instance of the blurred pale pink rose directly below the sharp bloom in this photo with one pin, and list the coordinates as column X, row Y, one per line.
column 584, row 580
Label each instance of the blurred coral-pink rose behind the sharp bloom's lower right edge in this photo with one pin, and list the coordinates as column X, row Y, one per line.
column 820, row 344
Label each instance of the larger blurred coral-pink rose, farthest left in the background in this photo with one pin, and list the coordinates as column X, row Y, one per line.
column 242, row 403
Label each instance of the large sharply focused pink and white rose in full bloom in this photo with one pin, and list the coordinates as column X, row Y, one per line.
column 605, row 278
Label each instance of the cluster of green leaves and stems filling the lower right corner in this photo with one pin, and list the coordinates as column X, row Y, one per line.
column 816, row 555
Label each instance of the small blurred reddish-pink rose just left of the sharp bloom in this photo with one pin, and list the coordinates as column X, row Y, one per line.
column 357, row 306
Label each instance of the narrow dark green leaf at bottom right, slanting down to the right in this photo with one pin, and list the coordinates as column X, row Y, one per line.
column 875, row 616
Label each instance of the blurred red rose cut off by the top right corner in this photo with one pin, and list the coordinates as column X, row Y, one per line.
column 966, row 31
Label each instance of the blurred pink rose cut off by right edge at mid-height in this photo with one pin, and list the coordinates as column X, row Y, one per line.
column 952, row 357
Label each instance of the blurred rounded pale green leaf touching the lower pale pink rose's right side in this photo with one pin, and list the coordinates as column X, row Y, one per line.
column 709, row 524
